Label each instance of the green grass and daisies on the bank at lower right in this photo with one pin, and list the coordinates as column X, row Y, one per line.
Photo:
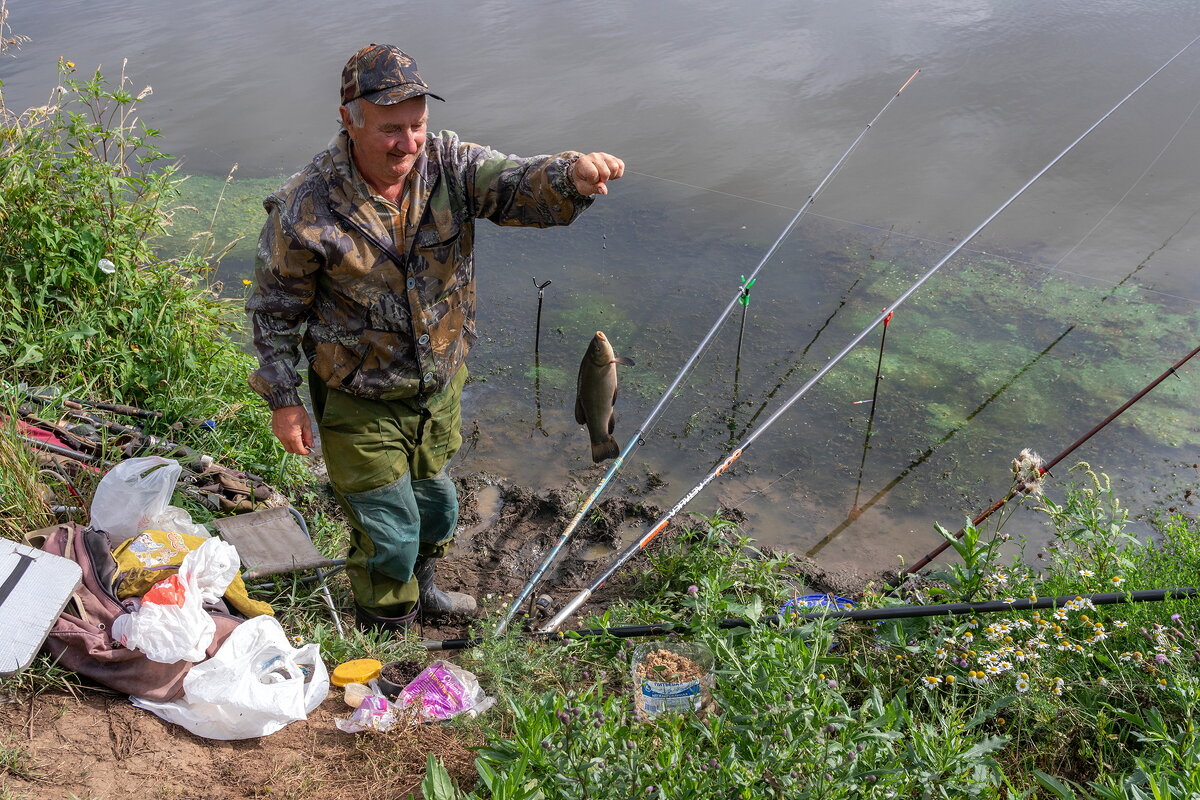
column 1081, row 701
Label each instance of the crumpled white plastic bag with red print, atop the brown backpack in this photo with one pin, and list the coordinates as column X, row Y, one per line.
column 171, row 624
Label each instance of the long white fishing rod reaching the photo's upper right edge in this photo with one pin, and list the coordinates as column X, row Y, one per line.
column 661, row 526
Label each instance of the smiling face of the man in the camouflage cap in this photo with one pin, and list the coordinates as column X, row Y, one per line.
column 387, row 146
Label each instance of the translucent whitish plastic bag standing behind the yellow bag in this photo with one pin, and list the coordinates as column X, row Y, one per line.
column 131, row 495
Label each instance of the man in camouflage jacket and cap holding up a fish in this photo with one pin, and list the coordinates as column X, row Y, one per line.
column 367, row 264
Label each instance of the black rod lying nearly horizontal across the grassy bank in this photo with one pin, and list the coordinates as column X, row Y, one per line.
column 861, row 615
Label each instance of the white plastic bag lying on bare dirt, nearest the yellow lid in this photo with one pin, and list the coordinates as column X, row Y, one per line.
column 256, row 684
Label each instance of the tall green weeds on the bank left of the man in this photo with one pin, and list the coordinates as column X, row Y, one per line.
column 87, row 305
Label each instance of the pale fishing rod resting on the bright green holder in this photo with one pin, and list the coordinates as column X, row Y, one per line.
column 638, row 438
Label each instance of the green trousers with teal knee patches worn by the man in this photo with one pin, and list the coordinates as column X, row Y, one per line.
column 387, row 462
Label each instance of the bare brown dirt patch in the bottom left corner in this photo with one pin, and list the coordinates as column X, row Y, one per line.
column 97, row 745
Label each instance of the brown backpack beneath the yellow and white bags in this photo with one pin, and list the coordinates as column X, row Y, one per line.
column 81, row 641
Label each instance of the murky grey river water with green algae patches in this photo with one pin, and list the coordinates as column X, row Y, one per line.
column 729, row 116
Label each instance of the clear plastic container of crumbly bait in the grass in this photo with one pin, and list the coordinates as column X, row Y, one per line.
column 673, row 677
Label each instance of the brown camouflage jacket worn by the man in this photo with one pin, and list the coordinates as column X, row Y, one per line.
column 375, row 318
